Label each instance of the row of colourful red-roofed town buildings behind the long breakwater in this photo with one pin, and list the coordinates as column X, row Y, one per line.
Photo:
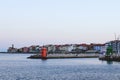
column 59, row 48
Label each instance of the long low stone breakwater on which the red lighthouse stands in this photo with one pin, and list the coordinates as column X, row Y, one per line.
column 55, row 56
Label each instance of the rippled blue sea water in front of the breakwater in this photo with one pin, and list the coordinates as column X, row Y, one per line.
column 18, row 67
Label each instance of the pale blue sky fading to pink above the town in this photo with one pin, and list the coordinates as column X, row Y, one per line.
column 41, row 22
